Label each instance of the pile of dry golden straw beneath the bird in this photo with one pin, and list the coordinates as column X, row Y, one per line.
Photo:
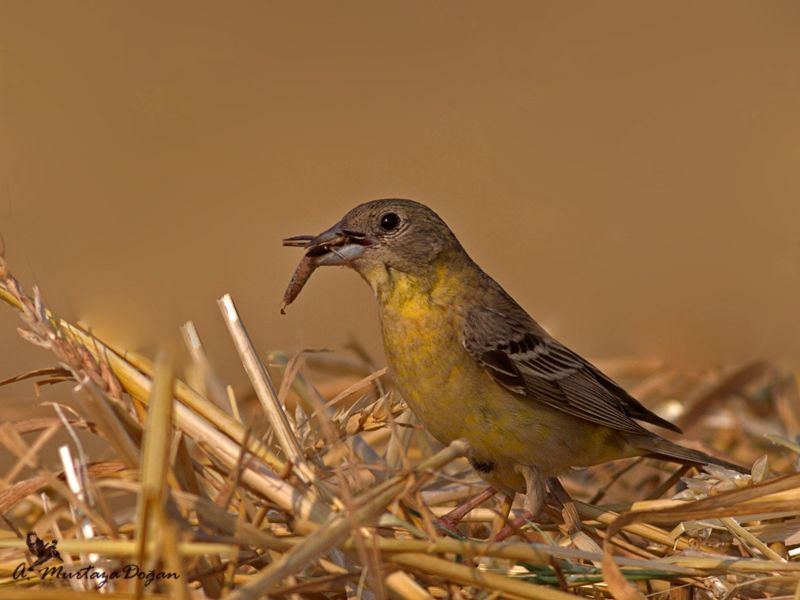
column 335, row 493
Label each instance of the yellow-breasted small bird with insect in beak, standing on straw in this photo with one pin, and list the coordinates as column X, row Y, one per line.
column 472, row 364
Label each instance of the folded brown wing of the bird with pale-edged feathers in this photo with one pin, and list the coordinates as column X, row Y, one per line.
column 520, row 356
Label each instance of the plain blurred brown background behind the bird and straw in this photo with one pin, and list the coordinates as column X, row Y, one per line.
column 641, row 159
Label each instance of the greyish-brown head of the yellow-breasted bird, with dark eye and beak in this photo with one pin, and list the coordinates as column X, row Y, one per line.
column 402, row 235
